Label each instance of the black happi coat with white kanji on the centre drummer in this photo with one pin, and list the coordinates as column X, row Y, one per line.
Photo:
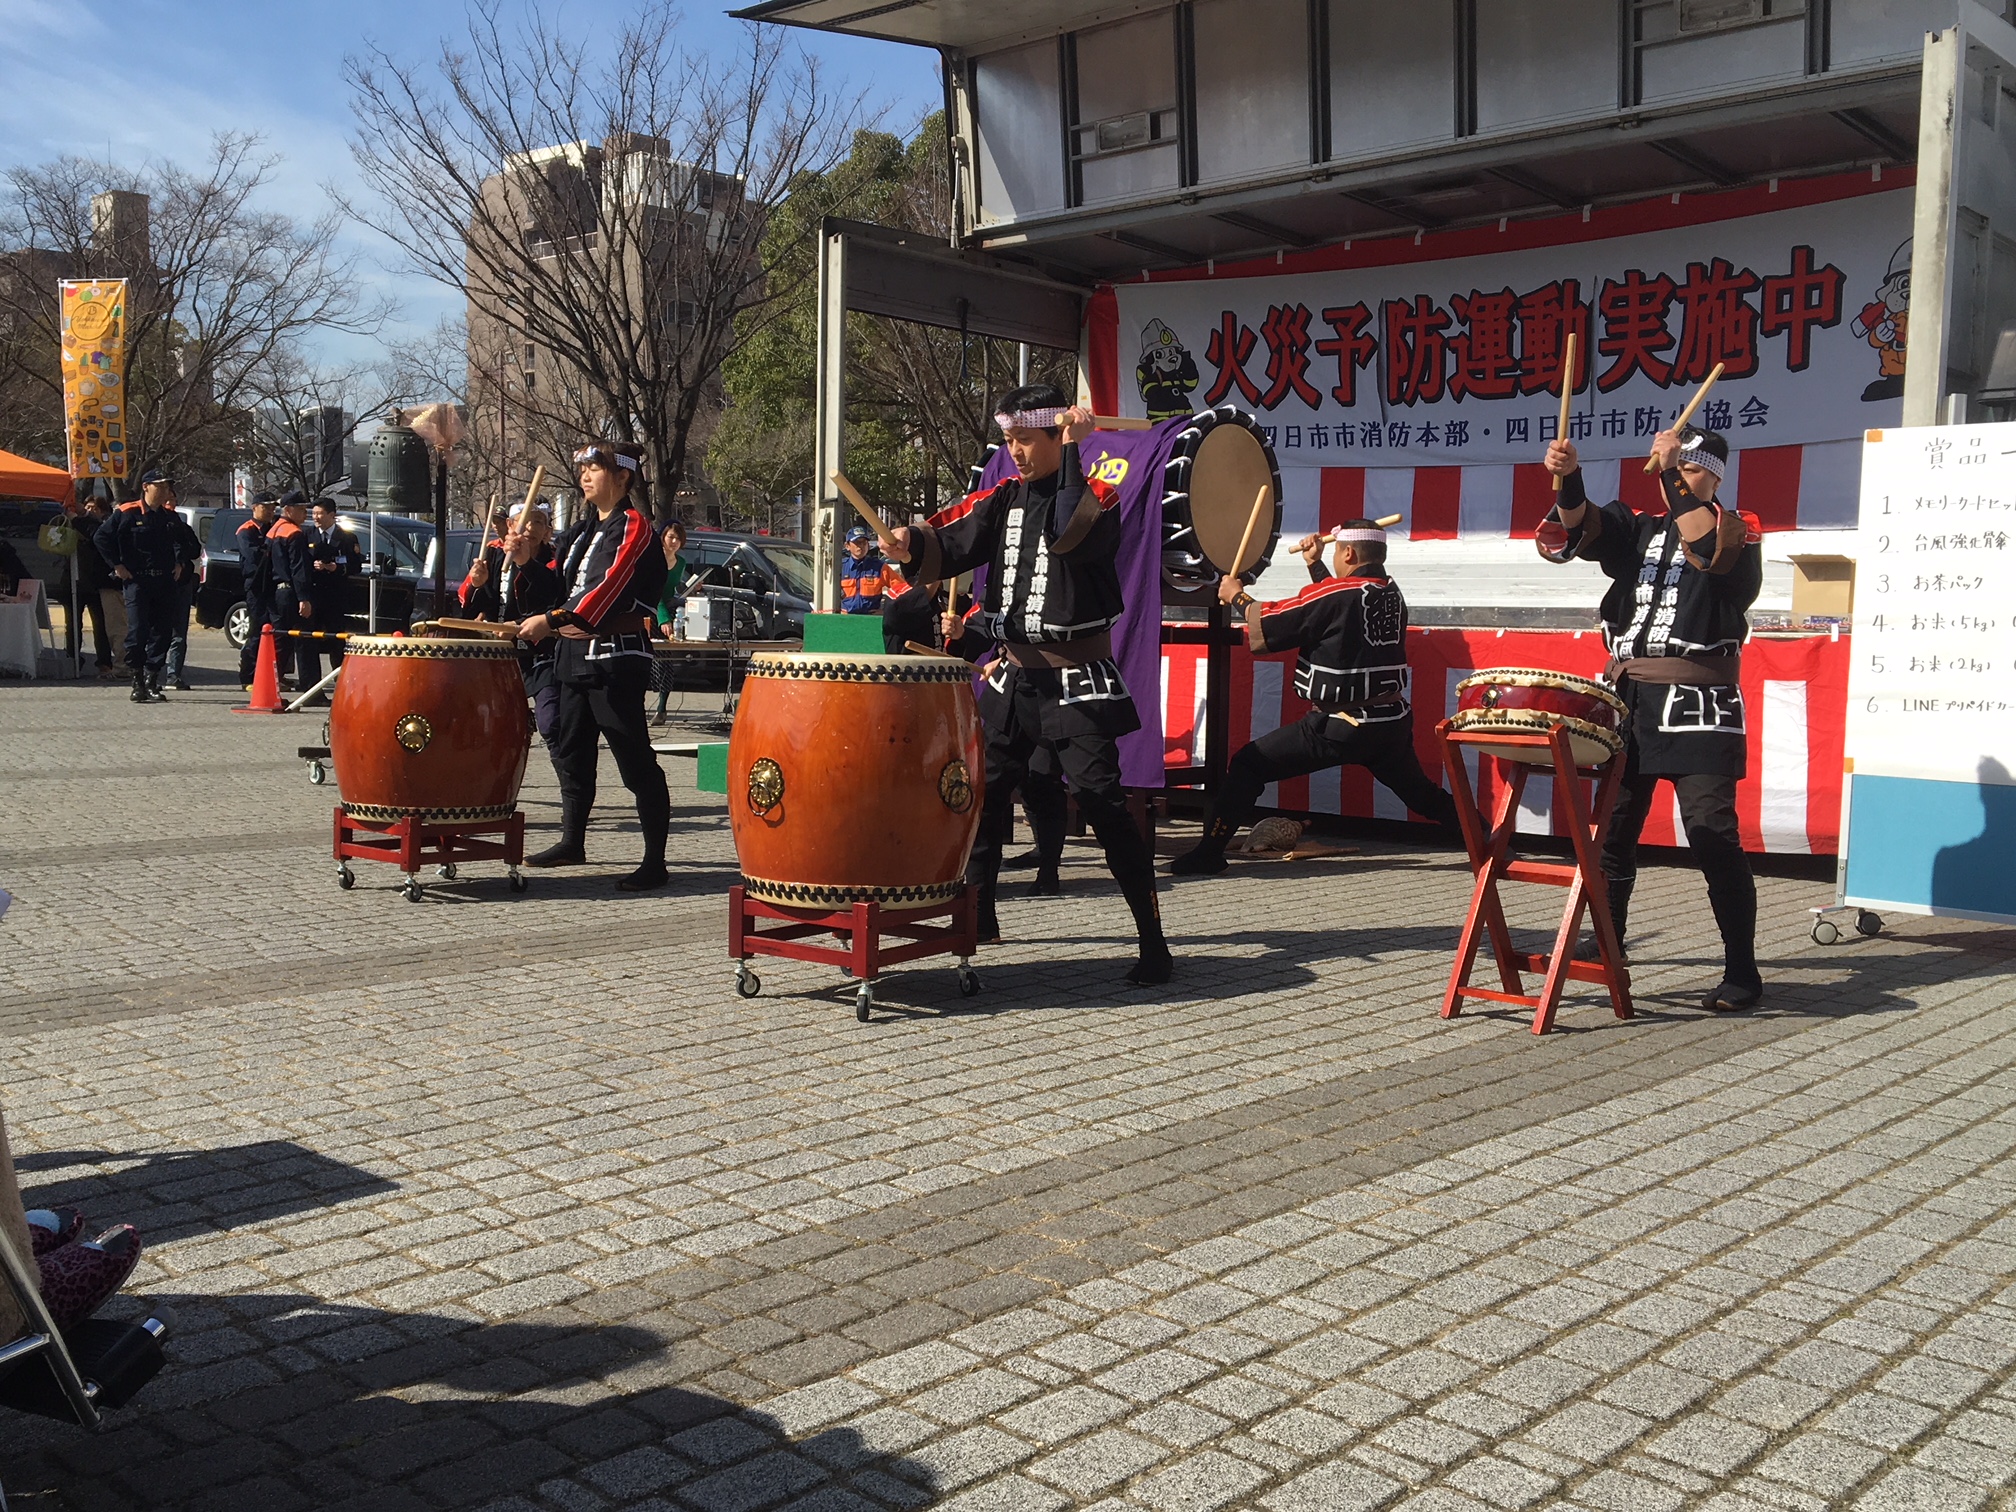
column 1053, row 594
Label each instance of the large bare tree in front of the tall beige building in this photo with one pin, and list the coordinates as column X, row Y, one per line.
column 602, row 203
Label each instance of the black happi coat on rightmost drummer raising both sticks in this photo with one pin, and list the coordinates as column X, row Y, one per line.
column 1670, row 604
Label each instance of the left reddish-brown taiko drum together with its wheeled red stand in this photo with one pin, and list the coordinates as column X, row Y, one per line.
column 430, row 741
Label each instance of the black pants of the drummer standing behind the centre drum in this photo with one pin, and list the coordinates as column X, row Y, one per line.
column 1094, row 767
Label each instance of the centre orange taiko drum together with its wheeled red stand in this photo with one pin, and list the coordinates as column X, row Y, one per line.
column 854, row 795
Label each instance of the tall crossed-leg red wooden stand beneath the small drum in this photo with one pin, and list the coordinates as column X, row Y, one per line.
column 1519, row 757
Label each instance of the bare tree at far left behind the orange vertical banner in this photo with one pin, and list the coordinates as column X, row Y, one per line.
column 217, row 293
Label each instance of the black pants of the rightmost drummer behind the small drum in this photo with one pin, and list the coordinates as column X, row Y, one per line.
column 1709, row 817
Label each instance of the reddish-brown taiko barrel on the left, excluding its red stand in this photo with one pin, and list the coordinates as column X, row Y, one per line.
column 430, row 729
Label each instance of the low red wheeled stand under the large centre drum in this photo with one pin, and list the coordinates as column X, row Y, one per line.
column 864, row 928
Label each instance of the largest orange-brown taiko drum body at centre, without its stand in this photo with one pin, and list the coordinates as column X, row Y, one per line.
column 856, row 779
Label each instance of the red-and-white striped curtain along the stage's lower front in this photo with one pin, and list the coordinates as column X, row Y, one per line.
column 1795, row 695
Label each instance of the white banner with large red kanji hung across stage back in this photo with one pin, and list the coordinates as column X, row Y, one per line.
column 1444, row 352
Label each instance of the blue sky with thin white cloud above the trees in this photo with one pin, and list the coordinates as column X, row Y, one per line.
column 154, row 80
